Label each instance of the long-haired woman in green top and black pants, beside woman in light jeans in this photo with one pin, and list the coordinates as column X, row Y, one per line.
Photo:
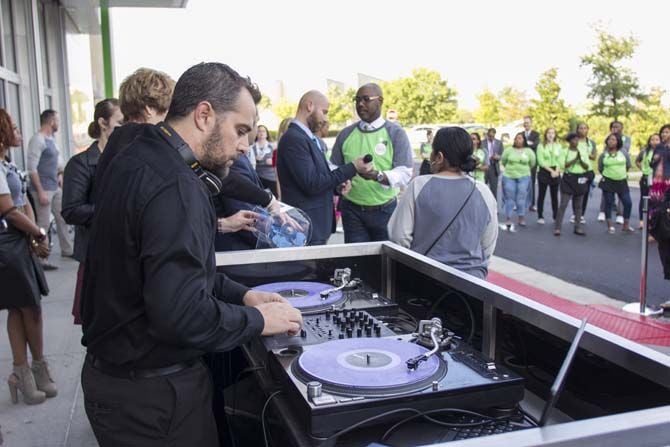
column 549, row 154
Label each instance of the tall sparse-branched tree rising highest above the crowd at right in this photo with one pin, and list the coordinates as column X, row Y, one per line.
column 615, row 88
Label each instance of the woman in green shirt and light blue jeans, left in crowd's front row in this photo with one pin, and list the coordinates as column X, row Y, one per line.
column 518, row 162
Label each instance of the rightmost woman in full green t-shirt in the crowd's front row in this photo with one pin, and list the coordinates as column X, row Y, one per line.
column 614, row 164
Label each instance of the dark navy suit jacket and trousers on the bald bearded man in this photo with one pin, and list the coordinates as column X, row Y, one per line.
column 306, row 180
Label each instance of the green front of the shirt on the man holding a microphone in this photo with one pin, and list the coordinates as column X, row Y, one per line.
column 377, row 143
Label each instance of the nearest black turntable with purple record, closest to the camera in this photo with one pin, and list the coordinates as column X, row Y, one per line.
column 337, row 383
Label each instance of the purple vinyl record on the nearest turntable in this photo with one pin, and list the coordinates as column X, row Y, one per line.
column 354, row 366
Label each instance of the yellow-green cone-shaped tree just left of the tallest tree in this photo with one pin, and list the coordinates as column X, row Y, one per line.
column 550, row 110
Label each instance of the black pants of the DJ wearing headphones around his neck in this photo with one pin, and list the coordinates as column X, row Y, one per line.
column 173, row 410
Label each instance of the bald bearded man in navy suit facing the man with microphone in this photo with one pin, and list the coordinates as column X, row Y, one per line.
column 306, row 180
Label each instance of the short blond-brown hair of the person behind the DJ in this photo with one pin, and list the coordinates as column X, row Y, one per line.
column 145, row 88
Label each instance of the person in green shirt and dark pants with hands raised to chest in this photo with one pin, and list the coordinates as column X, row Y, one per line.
column 575, row 183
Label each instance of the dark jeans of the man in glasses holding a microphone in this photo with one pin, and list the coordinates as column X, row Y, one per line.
column 366, row 224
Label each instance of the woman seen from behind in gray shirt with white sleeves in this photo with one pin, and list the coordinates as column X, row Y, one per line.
column 447, row 216
